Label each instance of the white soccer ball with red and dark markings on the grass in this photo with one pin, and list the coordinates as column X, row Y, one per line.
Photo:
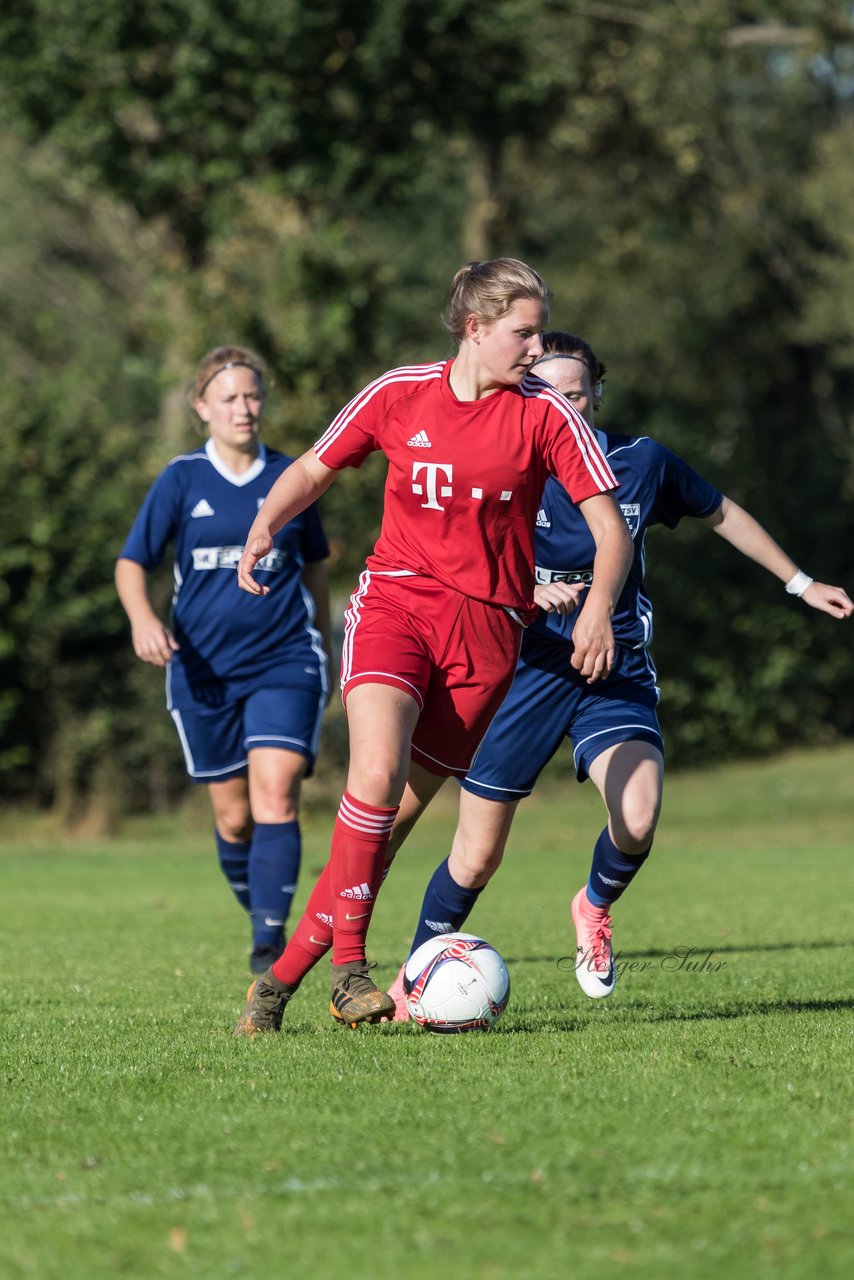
column 456, row 984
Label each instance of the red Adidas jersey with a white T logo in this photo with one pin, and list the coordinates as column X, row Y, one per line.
column 465, row 478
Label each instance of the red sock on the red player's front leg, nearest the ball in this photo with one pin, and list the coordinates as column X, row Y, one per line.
column 358, row 861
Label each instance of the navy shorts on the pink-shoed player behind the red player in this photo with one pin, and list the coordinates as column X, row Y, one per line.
column 549, row 702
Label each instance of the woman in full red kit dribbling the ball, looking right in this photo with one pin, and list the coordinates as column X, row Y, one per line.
column 435, row 627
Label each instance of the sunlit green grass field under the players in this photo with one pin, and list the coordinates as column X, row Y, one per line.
column 695, row 1126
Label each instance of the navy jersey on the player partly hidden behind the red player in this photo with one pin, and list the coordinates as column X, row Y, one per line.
column 656, row 488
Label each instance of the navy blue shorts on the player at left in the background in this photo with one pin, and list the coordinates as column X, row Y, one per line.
column 217, row 742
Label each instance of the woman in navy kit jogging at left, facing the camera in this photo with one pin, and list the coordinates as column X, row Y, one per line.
column 246, row 679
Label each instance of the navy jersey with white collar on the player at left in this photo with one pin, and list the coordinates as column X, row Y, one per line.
column 230, row 642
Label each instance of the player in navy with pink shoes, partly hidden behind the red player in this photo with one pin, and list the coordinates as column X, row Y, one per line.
column 613, row 726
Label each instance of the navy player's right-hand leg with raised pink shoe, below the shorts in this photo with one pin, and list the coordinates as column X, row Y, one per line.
column 629, row 778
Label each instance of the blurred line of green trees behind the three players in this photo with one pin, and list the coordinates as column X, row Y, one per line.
column 307, row 179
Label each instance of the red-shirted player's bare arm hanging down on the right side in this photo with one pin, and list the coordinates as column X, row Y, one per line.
column 593, row 642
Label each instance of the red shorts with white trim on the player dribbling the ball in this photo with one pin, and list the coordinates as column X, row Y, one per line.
column 455, row 656
